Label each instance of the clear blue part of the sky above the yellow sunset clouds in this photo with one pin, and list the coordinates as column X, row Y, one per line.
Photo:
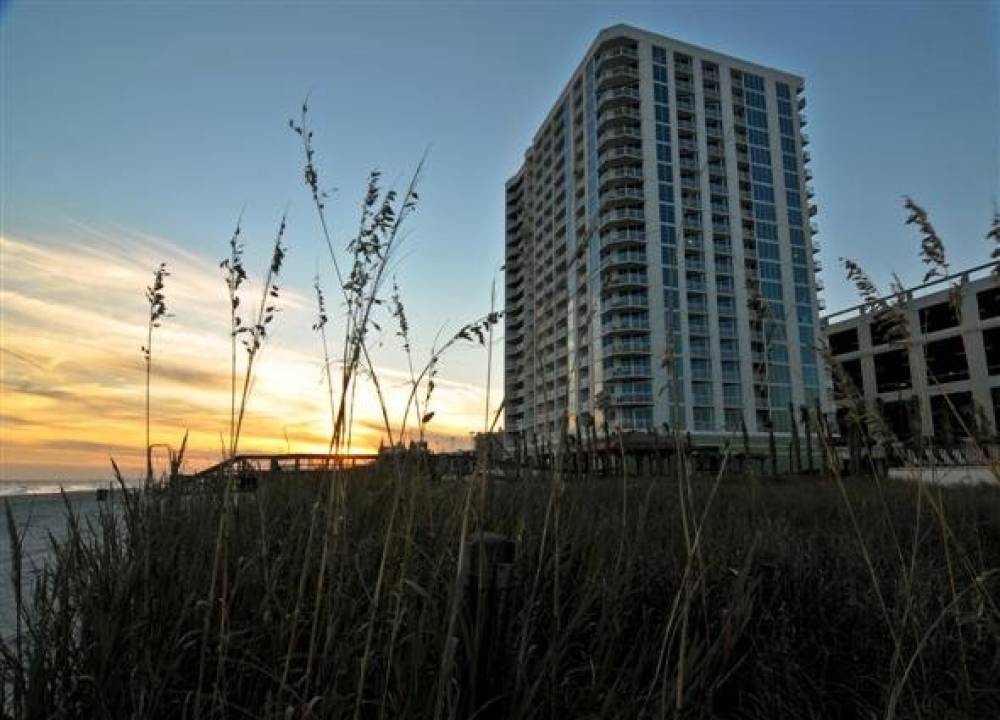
column 165, row 119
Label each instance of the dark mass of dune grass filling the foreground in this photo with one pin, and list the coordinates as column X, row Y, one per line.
column 783, row 619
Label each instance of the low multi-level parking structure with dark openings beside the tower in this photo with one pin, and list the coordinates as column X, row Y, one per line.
column 940, row 379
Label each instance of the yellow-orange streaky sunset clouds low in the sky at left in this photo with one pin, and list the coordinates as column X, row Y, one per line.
column 71, row 373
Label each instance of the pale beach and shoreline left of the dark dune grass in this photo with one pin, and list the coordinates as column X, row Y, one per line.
column 39, row 514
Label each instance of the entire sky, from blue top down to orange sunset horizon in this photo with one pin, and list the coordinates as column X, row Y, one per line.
column 135, row 133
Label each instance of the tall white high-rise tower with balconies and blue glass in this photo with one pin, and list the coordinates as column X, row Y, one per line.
column 660, row 251
